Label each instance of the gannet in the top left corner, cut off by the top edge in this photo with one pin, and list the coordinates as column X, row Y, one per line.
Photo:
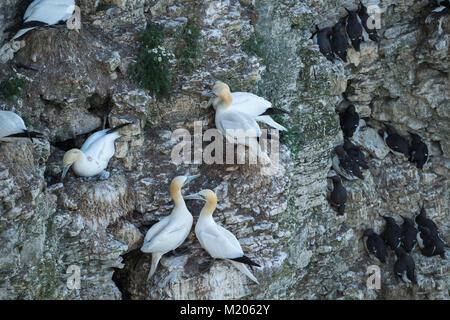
column 44, row 13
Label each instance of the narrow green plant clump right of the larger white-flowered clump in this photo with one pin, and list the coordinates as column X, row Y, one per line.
column 191, row 48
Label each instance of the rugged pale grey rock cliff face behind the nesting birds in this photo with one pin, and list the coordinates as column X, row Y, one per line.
column 283, row 221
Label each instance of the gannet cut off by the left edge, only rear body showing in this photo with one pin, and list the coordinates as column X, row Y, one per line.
column 12, row 127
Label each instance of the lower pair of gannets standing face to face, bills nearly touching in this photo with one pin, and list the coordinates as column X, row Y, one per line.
column 169, row 233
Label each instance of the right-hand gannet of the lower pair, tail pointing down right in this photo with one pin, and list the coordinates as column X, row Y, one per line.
column 216, row 240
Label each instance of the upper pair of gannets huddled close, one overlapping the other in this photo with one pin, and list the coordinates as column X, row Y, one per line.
column 237, row 115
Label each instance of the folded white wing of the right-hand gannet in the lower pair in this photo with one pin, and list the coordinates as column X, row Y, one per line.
column 218, row 244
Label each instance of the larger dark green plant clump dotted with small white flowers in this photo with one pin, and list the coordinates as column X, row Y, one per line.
column 151, row 68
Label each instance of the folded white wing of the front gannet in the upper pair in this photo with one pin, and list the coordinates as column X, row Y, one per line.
column 240, row 125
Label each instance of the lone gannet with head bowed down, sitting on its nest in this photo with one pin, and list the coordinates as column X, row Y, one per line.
column 94, row 155
